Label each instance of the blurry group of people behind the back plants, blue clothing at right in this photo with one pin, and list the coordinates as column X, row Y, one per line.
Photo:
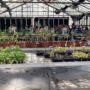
column 80, row 32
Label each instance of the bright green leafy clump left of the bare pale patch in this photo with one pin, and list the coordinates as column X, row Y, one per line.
column 12, row 54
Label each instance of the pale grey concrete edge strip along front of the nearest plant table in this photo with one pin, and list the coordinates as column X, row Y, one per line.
column 56, row 64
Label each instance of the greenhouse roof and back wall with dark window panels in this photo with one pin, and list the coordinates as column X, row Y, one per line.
column 23, row 13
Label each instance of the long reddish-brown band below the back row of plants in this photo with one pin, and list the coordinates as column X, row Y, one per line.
column 43, row 44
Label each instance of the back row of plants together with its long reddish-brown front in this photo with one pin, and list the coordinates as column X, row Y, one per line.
column 37, row 39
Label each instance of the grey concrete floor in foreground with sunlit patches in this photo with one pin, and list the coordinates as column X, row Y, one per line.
column 76, row 78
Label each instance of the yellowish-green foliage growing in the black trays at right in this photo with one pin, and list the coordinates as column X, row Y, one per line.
column 76, row 53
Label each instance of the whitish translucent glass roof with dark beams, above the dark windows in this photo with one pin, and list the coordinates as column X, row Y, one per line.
column 40, row 7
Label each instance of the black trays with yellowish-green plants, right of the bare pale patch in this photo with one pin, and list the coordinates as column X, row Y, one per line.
column 61, row 54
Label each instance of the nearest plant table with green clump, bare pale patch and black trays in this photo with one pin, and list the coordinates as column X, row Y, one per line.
column 15, row 55
